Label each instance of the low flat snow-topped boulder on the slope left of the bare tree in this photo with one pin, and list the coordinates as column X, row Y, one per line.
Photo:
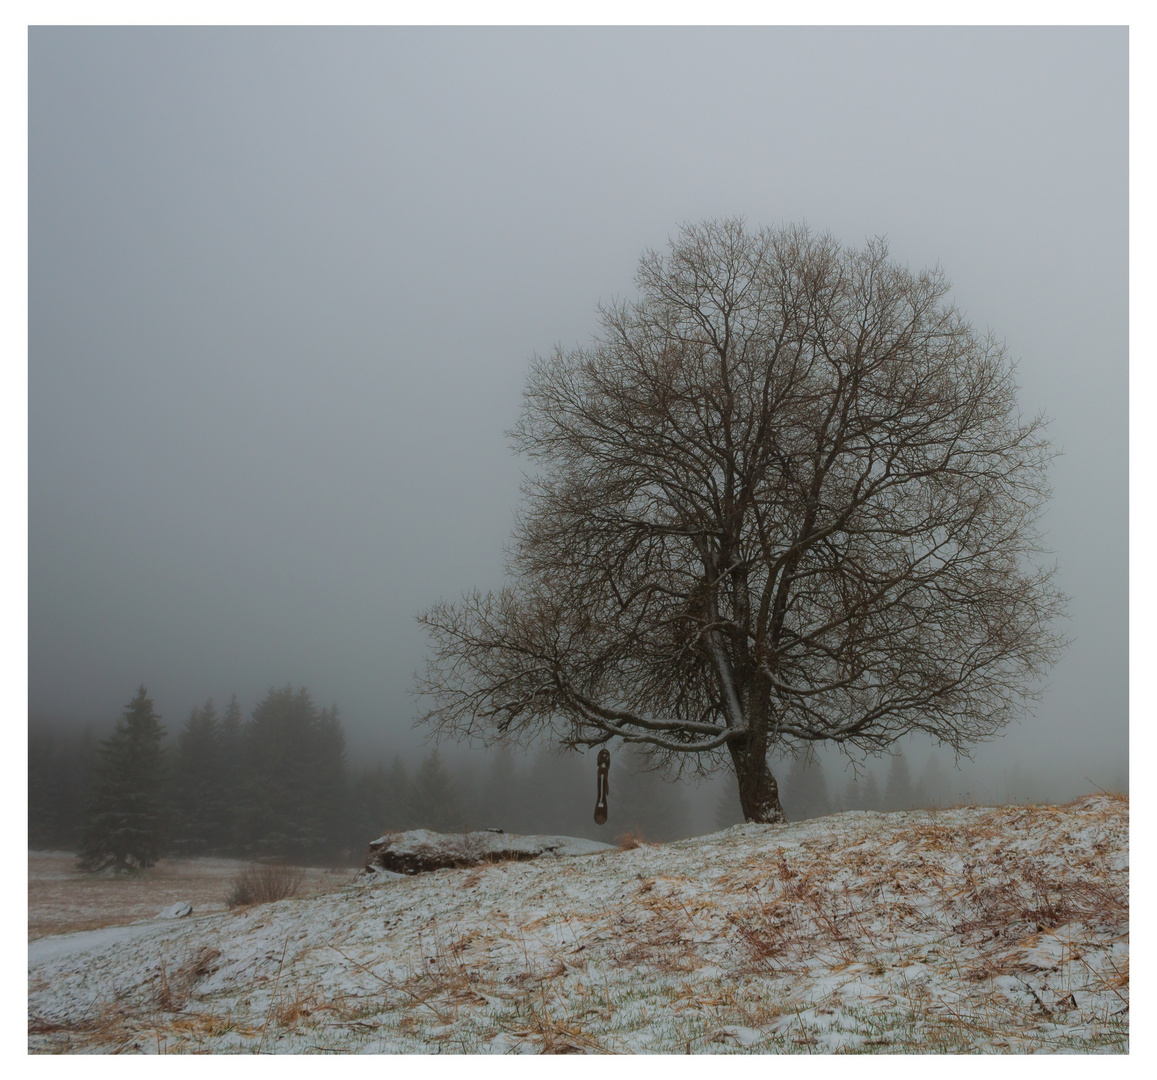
column 419, row 851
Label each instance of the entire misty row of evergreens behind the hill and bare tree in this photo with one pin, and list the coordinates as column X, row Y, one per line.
column 278, row 785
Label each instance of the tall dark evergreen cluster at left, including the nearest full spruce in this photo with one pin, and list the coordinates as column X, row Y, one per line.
column 274, row 787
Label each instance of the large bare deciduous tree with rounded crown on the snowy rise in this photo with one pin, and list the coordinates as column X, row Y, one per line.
column 785, row 498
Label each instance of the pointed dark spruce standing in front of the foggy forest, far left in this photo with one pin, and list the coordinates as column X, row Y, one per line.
column 128, row 815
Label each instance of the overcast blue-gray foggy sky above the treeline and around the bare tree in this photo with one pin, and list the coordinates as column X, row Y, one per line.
column 284, row 288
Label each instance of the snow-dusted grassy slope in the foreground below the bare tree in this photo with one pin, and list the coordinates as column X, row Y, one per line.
column 963, row 930
